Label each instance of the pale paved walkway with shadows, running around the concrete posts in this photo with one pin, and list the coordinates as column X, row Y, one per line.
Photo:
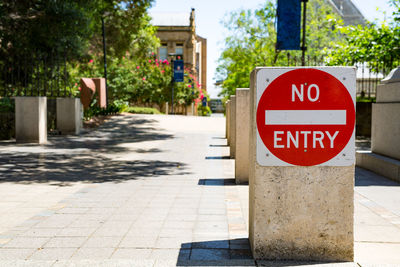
column 149, row 190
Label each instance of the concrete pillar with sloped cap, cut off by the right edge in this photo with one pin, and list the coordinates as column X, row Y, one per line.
column 385, row 128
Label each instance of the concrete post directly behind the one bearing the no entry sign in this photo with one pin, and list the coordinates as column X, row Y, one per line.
column 242, row 135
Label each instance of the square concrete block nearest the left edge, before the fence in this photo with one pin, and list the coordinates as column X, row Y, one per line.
column 31, row 119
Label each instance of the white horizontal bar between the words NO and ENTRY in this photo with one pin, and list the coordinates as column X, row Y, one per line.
column 305, row 117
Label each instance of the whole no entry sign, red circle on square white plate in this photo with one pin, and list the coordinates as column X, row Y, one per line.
column 305, row 116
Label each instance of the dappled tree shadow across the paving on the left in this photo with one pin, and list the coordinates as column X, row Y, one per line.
column 83, row 158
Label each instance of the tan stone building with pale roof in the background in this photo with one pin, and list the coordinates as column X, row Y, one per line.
column 177, row 33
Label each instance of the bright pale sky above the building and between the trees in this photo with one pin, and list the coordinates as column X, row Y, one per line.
column 210, row 13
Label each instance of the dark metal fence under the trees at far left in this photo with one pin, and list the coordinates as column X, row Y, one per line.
column 34, row 75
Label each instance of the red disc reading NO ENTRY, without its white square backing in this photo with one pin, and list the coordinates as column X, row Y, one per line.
column 305, row 117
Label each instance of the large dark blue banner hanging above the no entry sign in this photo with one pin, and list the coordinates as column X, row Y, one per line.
column 288, row 32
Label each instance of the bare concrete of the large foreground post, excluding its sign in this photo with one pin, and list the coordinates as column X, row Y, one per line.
column 296, row 212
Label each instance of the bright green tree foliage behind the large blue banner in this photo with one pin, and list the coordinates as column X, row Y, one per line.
column 252, row 38
